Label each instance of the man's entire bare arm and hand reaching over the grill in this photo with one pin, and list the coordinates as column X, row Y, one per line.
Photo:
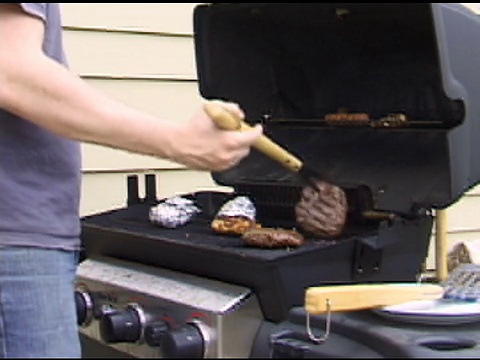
column 37, row 88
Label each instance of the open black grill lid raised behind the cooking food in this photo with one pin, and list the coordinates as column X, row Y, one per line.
column 291, row 65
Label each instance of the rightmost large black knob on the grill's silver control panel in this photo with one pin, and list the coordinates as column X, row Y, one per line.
column 186, row 342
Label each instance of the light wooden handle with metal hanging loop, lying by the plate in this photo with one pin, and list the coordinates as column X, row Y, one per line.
column 335, row 298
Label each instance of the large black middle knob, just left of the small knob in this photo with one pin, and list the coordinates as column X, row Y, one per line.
column 119, row 326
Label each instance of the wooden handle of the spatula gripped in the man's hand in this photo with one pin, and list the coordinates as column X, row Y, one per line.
column 228, row 121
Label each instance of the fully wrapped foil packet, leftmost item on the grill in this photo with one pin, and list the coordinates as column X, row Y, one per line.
column 173, row 212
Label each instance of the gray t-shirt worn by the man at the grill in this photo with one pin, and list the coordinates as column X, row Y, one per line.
column 40, row 172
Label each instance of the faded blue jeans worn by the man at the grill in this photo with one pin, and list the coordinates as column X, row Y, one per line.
column 37, row 306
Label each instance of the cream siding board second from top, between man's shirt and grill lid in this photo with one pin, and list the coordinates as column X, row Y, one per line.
column 130, row 55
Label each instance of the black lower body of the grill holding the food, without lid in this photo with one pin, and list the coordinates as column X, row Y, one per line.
column 279, row 277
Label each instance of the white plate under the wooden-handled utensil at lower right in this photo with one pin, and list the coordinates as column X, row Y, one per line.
column 433, row 312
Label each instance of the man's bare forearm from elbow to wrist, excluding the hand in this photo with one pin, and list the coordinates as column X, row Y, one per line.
column 54, row 98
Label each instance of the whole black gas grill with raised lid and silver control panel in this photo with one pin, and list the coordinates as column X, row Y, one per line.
column 412, row 68
